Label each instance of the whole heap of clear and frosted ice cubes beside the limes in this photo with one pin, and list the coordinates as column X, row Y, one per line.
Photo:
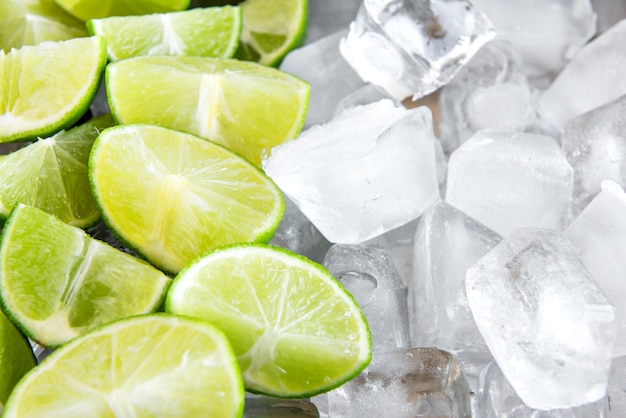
column 462, row 173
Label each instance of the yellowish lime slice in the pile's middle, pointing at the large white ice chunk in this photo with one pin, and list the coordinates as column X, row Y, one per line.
column 172, row 196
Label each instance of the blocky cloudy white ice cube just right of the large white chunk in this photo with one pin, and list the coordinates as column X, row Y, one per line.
column 510, row 180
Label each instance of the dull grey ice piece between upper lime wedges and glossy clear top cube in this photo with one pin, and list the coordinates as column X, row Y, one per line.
column 330, row 76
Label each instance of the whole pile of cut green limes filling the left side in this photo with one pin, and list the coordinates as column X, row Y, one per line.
column 192, row 307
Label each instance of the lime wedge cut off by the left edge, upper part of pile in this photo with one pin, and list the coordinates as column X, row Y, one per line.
column 48, row 87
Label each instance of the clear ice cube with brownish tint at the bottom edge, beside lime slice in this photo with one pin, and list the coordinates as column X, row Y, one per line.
column 418, row 382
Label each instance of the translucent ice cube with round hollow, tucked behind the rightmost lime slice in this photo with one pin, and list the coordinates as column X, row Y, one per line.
column 368, row 273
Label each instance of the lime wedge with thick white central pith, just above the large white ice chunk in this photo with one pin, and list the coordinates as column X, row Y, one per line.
column 247, row 107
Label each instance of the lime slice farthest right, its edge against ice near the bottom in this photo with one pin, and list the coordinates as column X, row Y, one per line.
column 295, row 330
